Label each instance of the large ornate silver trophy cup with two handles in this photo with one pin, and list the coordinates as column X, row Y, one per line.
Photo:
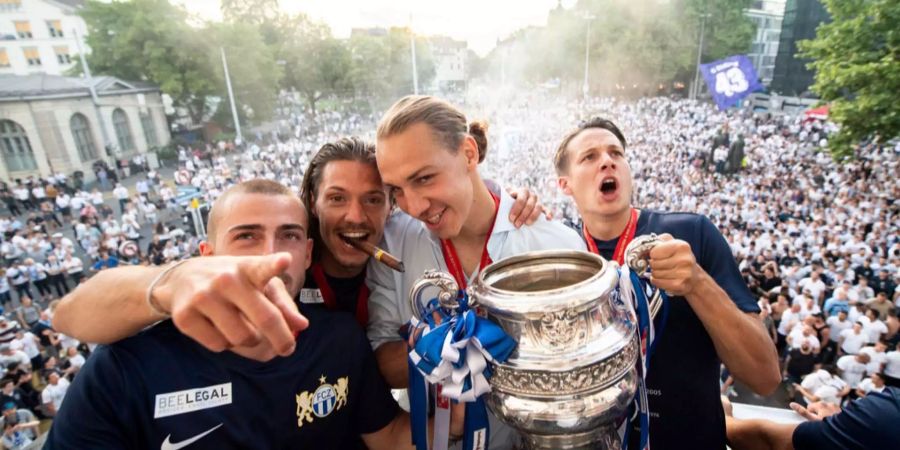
column 574, row 372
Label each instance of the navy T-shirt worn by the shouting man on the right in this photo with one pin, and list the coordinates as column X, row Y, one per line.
column 683, row 381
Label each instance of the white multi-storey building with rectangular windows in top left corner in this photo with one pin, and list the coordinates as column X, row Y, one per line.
column 39, row 36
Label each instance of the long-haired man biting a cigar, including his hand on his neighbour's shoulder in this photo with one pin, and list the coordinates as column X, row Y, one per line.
column 343, row 191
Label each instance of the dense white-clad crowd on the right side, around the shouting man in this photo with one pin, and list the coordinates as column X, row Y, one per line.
column 817, row 240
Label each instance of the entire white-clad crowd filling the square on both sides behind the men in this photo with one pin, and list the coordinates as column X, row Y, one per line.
column 817, row 241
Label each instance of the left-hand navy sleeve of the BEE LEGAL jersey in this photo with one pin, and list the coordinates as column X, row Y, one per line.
column 93, row 415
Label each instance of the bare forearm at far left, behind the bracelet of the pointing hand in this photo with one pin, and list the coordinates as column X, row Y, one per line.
column 109, row 307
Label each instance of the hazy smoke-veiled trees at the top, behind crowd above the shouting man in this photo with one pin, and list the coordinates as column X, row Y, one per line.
column 632, row 42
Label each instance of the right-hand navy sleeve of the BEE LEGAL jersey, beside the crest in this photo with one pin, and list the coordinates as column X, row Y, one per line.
column 375, row 407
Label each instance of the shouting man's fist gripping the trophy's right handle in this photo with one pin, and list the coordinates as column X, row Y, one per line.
column 673, row 266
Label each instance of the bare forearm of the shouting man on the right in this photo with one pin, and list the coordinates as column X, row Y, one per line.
column 740, row 339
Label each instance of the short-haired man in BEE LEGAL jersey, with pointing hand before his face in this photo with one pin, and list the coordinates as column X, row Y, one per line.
column 161, row 388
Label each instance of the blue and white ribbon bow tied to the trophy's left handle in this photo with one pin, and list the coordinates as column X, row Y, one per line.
column 454, row 352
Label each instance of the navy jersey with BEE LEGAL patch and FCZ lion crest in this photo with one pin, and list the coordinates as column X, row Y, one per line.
column 160, row 389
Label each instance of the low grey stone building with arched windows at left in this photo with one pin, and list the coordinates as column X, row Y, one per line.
column 51, row 123
